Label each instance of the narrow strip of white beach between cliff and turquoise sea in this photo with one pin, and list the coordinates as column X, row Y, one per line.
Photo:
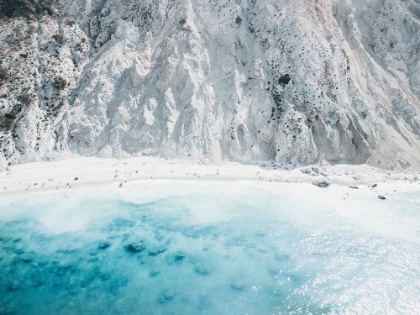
column 86, row 172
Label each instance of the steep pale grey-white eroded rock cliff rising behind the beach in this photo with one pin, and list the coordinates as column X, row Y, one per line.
column 290, row 81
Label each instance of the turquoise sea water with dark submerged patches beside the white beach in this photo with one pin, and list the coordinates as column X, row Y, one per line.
column 209, row 250
